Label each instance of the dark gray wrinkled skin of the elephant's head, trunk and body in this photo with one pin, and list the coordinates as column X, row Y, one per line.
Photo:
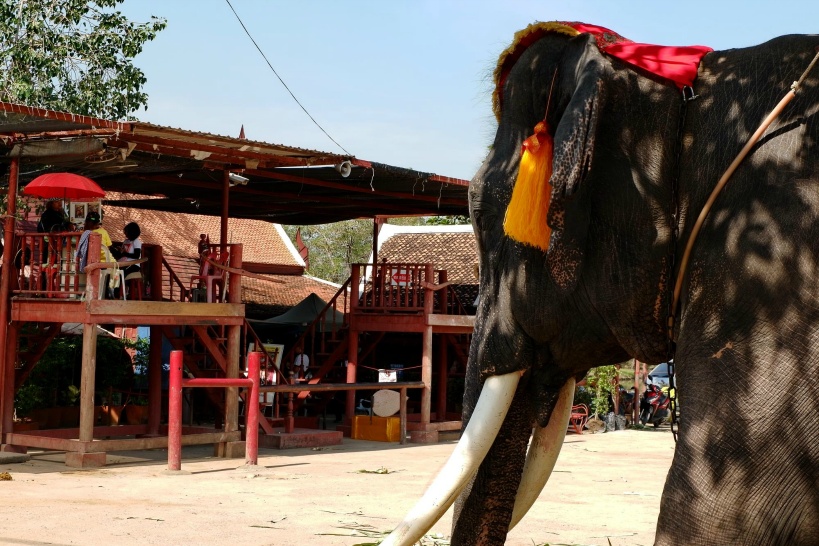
column 746, row 467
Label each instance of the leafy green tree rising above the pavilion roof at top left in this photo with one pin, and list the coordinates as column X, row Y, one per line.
column 73, row 55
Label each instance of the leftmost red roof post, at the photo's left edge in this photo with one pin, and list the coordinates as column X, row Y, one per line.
column 5, row 303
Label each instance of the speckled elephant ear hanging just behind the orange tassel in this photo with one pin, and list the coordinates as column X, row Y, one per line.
column 568, row 216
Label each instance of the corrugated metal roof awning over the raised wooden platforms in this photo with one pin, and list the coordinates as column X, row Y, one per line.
column 185, row 169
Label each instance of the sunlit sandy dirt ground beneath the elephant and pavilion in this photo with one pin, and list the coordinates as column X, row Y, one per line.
column 605, row 486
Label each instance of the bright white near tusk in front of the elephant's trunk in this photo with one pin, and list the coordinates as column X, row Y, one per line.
column 490, row 411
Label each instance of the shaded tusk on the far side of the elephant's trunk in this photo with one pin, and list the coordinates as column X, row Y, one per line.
column 542, row 454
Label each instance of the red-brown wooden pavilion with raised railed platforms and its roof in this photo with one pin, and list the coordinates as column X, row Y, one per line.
column 41, row 286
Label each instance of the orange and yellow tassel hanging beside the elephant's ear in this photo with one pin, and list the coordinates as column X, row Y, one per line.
column 526, row 214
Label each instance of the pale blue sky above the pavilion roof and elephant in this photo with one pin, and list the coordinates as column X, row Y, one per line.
column 394, row 81
